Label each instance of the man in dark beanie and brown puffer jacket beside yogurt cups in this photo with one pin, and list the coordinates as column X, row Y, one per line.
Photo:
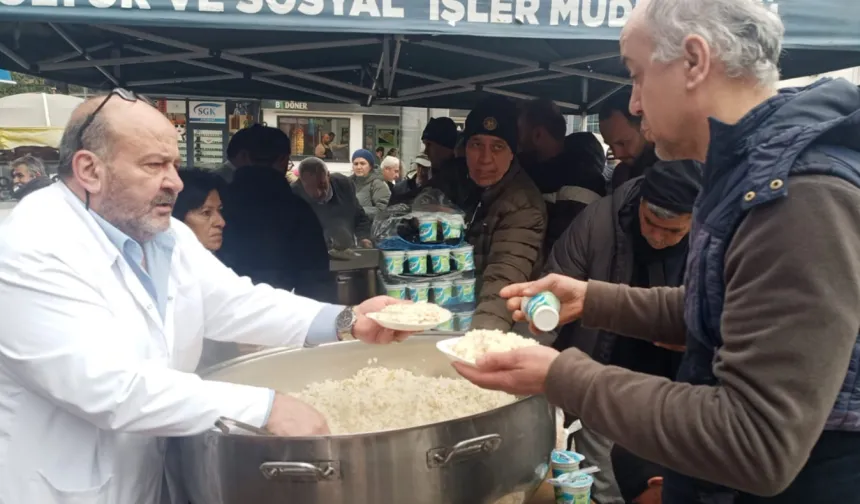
column 505, row 212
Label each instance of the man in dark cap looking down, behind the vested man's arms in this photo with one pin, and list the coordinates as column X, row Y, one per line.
column 636, row 236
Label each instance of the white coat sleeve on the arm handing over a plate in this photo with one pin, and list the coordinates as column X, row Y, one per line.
column 234, row 309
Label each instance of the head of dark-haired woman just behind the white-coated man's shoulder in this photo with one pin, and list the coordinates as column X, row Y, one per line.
column 199, row 206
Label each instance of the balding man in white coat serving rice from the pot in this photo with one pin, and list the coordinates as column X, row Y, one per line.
column 105, row 301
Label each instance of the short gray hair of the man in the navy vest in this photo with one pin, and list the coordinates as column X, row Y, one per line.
column 744, row 34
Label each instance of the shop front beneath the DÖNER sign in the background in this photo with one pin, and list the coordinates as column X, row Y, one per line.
column 334, row 131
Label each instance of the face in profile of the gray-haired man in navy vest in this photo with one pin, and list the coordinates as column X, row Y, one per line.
column 665, row 94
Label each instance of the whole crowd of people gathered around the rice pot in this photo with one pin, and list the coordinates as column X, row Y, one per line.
column 709, row 285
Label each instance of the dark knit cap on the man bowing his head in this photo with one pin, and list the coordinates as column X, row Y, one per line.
column 673, row 185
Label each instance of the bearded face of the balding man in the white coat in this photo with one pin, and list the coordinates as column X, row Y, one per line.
column 134, row 187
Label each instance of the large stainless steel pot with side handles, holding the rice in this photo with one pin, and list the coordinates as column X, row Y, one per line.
column 499, row 456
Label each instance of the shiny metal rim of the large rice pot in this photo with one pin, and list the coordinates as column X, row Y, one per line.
column 362, row 435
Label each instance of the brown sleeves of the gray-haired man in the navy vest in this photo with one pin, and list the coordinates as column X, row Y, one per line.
column 789, row 324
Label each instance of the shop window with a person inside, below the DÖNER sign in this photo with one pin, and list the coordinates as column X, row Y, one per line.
column 323, row 137
